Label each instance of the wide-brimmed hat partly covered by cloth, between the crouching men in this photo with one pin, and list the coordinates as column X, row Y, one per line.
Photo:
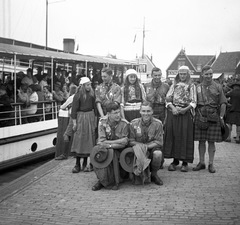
column 126, row 159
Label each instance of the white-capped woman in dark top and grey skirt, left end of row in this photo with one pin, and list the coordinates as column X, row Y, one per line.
column 83, row 118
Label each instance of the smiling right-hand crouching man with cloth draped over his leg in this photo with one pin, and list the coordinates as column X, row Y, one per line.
column 146, row 139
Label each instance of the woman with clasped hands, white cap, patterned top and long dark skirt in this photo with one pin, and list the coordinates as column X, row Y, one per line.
column 178, row 132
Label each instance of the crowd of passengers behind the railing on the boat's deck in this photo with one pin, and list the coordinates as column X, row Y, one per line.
column 36, row 99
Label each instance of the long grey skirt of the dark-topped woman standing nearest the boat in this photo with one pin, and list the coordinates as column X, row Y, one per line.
column 84, row 137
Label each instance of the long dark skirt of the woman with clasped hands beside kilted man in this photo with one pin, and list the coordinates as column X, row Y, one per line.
column 178, row 137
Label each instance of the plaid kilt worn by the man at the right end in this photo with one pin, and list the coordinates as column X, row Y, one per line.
column 212, row 134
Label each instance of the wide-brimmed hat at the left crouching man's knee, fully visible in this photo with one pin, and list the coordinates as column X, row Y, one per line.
column 101, row 157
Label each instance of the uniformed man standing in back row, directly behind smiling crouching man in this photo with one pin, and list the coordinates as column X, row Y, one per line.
column 156, row 92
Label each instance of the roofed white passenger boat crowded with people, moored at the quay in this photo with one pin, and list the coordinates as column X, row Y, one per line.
column 34, row 82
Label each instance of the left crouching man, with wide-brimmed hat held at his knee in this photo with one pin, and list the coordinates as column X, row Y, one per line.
column 113, row 134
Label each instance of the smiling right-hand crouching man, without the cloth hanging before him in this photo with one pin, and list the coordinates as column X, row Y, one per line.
column 148, row 130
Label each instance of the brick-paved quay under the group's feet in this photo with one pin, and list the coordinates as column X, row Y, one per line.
column 51, row 194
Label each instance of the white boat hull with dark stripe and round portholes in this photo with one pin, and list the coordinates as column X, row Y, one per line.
column 26, row 142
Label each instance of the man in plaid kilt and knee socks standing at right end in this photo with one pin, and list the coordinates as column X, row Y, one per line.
column 211, row 107
